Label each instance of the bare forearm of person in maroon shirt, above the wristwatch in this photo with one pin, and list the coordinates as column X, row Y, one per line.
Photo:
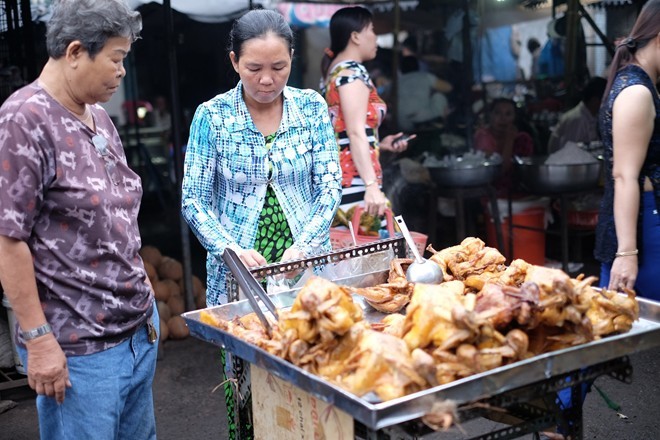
column 19, row 284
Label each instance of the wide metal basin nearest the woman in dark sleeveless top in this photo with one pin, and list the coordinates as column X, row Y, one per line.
column 541, row 178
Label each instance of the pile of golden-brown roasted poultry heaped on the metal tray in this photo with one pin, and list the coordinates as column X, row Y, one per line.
column 484, row 315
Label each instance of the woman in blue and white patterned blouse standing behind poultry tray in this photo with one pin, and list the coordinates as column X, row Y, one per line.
column 261, row 173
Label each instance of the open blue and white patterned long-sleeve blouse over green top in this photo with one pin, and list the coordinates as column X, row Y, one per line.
column 226, row 174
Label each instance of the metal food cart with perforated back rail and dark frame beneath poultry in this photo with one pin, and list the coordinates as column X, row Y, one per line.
column 524, row 391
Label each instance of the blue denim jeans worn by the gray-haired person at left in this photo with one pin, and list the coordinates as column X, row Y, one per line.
column 111, row 394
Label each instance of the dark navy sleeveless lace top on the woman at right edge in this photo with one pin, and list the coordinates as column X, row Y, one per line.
column 606, row 242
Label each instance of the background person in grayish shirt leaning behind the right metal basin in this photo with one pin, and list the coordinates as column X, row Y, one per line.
column 580, row 124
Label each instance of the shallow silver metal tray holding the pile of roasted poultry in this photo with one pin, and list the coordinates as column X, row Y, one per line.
column 644, row 335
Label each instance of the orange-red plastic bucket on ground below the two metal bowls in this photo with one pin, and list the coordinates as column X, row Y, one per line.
column 528, row 245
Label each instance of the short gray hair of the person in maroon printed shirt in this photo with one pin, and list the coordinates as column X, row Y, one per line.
column 92, row 22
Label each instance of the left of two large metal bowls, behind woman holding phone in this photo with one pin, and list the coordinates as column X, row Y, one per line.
column 458, row 175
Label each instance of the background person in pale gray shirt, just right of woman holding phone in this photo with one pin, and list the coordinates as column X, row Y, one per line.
column 422, row 97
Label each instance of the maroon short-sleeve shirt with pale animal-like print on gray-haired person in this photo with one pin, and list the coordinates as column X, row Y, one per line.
column 75, row 201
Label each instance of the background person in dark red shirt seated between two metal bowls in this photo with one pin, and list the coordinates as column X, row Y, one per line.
column 501, row 135
